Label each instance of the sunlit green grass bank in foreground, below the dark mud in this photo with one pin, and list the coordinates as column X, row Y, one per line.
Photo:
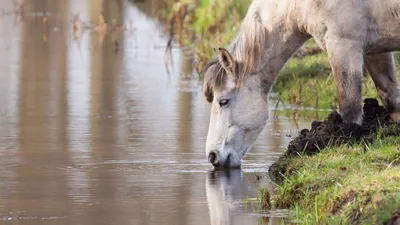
column 345, row 185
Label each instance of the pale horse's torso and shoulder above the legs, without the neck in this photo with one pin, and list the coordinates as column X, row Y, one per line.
column 373, row 24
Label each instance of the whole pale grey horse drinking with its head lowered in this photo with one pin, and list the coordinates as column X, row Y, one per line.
column 353, row 32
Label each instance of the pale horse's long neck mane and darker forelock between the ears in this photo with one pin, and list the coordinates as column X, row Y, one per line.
column 246, row 50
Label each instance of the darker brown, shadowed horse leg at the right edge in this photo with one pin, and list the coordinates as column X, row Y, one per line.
column 383, row 72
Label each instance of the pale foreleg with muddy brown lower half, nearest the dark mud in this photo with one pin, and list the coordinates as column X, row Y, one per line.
column 346, row 59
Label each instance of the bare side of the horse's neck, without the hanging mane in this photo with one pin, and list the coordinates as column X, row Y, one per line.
column 283, row 37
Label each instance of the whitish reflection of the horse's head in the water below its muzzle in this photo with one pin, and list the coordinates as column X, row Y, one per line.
column 225, row 193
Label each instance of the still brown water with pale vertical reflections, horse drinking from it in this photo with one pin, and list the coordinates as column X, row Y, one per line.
column 94, row 130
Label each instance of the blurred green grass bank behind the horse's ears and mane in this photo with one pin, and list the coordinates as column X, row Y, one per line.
column 209, row 24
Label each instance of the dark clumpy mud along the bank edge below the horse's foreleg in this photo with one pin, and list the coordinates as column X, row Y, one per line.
column 333, row 131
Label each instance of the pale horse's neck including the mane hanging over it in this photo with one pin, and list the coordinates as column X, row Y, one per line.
column 278, row 34
